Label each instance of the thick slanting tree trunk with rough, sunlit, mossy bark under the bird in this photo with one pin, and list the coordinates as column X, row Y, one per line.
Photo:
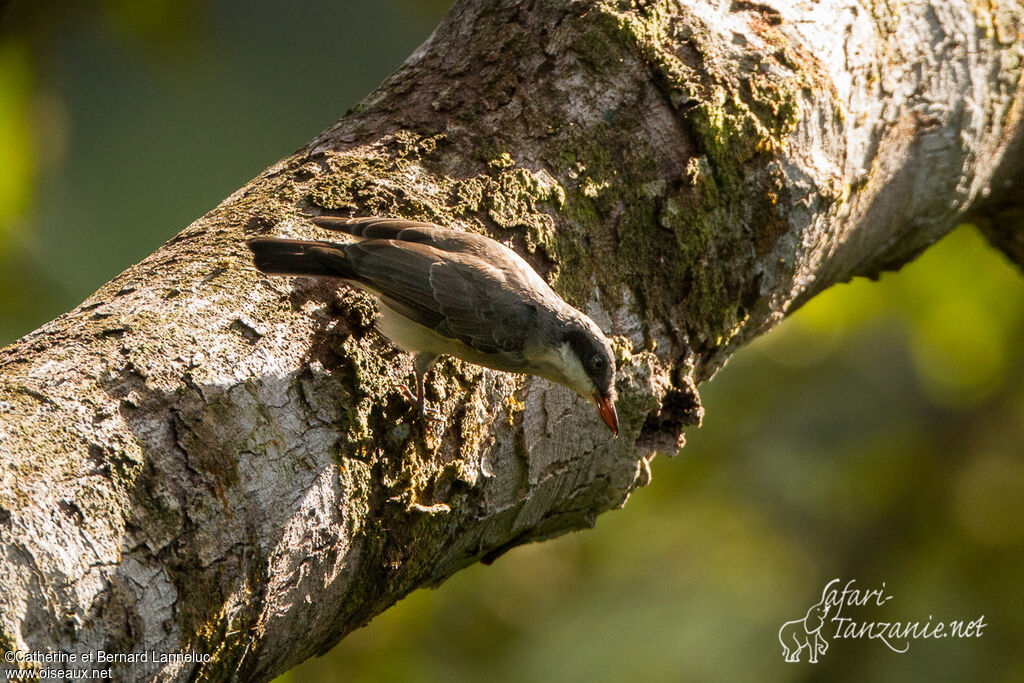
column 203, row 459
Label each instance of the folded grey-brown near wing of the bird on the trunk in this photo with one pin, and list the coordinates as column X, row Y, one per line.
column 458, row 296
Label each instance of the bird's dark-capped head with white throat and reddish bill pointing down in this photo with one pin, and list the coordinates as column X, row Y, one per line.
column 590, row 368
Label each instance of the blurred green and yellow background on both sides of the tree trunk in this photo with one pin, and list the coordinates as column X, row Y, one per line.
column 876, row 436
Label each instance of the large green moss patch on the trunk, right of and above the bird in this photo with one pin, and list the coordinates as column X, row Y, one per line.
column 693, row 227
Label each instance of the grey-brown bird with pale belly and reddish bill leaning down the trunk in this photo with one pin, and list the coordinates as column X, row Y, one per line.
column 444, row 291
